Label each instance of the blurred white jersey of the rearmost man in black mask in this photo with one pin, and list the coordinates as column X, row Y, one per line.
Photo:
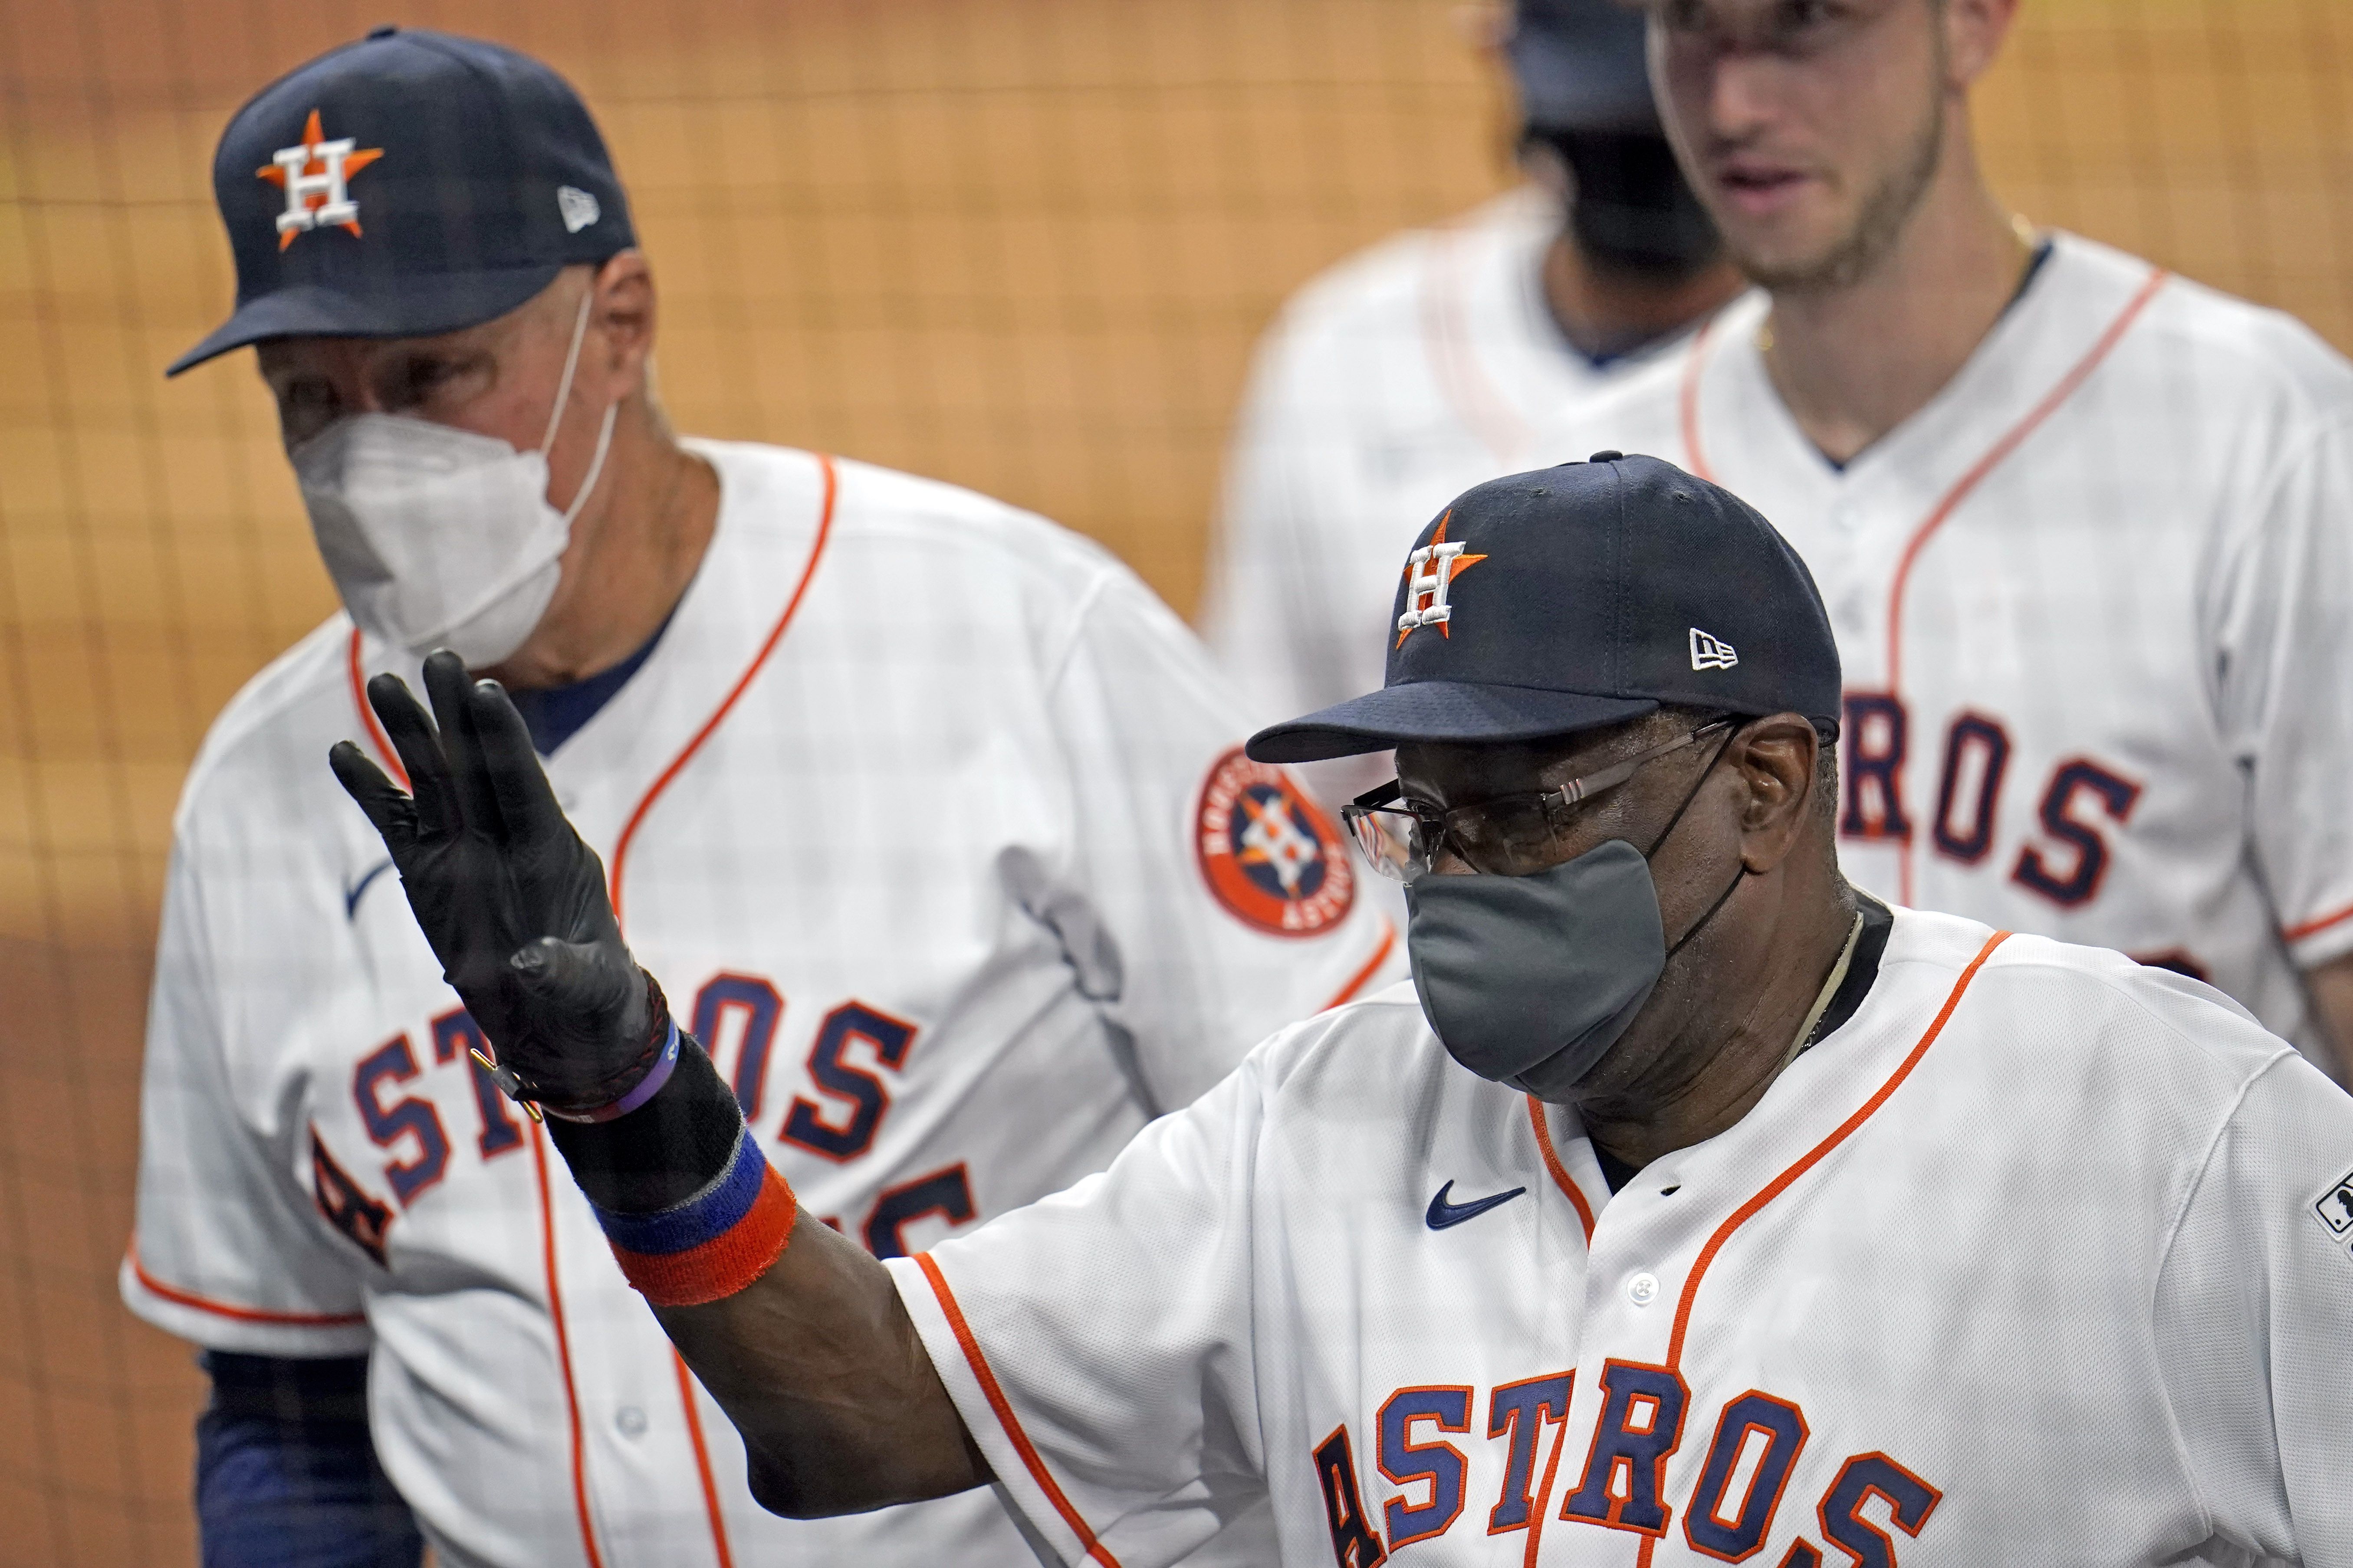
column 1389, row 387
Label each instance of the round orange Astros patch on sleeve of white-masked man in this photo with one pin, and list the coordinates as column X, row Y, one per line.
column 1267, row 852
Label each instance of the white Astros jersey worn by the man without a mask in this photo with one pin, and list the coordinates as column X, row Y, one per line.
column 2095, row 610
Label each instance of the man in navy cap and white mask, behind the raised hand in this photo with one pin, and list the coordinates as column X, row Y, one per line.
column 935, row 817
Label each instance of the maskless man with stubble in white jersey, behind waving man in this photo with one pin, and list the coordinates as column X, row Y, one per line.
column 2081, row 525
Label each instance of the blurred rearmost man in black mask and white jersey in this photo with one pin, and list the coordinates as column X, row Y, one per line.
column 1439, row 359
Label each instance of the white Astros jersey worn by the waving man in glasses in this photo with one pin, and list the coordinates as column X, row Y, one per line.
column 2039, row 1259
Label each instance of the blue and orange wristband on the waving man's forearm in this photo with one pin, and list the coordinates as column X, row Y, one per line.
column 712, row 1245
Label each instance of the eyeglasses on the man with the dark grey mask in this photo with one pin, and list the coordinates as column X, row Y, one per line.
column 1509, row 836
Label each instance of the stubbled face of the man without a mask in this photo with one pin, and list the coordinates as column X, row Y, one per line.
column 1811, row 128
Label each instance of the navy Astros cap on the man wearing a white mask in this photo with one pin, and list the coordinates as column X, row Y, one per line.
column 408, row 185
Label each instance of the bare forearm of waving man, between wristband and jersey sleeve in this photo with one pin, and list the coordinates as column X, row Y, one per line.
column 822, row 1372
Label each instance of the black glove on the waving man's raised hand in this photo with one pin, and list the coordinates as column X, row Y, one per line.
column 507, row 894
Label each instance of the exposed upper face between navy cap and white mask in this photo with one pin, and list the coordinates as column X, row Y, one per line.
column 493, row 380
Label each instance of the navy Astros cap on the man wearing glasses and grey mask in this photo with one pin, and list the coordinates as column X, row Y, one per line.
column 1585, row 596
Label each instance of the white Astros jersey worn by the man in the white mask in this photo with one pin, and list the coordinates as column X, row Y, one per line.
column 931, row 822
